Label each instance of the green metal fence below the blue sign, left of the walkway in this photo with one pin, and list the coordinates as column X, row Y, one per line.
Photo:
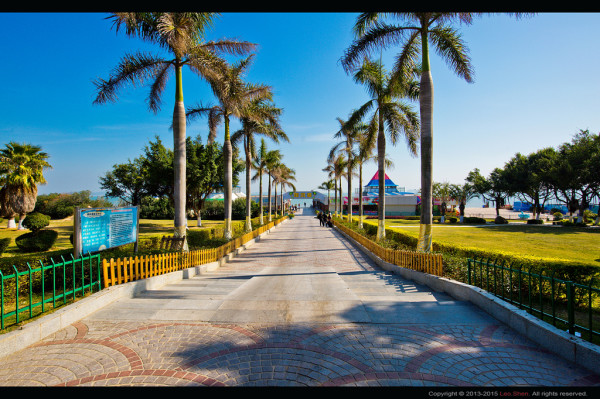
column 37, row 290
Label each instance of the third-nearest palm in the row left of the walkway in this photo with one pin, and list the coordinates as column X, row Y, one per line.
column 260, row 118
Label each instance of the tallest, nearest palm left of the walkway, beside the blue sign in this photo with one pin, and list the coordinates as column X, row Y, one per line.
column 181, row 35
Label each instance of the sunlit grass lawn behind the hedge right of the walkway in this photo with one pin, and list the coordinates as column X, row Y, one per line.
column 546, row 241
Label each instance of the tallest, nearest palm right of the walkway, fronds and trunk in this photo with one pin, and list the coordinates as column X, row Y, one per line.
column 414, row 35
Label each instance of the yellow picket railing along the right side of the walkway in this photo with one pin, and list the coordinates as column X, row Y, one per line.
column 420, row 261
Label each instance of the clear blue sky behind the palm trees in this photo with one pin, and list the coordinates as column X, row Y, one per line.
column 536, row 85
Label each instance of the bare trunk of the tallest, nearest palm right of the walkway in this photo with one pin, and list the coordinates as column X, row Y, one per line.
column 426, row 110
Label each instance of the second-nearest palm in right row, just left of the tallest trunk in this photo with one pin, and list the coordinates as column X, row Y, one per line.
column 385, row 91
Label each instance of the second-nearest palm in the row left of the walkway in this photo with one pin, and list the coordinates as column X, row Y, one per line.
column 234, row 96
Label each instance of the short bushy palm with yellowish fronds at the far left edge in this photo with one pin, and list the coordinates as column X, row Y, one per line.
column 21, row 170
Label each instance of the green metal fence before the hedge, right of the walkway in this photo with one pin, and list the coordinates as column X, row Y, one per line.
column 564, row 304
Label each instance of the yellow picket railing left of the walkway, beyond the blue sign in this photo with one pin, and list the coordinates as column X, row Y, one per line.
column 123, row 270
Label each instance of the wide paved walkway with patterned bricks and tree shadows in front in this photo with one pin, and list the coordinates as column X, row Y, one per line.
column 302, row 307
